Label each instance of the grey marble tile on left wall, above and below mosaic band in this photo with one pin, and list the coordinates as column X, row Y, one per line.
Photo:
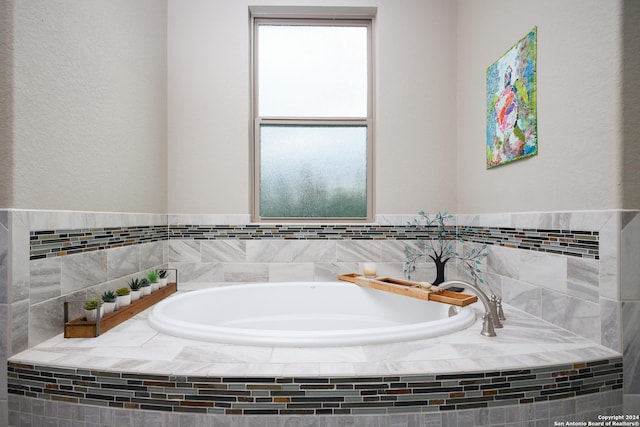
column 40, row 286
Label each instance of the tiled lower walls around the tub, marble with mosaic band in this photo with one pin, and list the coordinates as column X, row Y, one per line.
column 535, row 266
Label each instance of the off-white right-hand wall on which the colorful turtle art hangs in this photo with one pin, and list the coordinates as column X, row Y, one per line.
column 579, row 105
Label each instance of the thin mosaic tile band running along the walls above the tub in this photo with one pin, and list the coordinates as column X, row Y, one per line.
column 53, row 243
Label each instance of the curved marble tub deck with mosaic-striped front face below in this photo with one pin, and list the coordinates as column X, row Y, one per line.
column 133, row 348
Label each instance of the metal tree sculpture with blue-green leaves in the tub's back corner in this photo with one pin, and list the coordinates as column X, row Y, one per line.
column 440, row 246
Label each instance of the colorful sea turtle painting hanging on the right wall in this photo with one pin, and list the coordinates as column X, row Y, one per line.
column 511, row 104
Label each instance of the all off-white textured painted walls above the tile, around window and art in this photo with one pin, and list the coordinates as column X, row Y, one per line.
column 87, row 122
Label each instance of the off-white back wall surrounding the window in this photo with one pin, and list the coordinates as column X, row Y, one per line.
column 209, row 95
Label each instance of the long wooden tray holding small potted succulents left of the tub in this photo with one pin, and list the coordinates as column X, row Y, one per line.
column 82, row 328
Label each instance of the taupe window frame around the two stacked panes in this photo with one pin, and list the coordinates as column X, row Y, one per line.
column 306, row 16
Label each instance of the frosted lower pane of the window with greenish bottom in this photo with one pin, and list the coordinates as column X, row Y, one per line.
column 313, row 171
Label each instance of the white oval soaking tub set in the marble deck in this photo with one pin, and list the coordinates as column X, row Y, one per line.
column 304, row 314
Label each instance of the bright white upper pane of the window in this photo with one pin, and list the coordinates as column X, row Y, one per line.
column 312, row 71
